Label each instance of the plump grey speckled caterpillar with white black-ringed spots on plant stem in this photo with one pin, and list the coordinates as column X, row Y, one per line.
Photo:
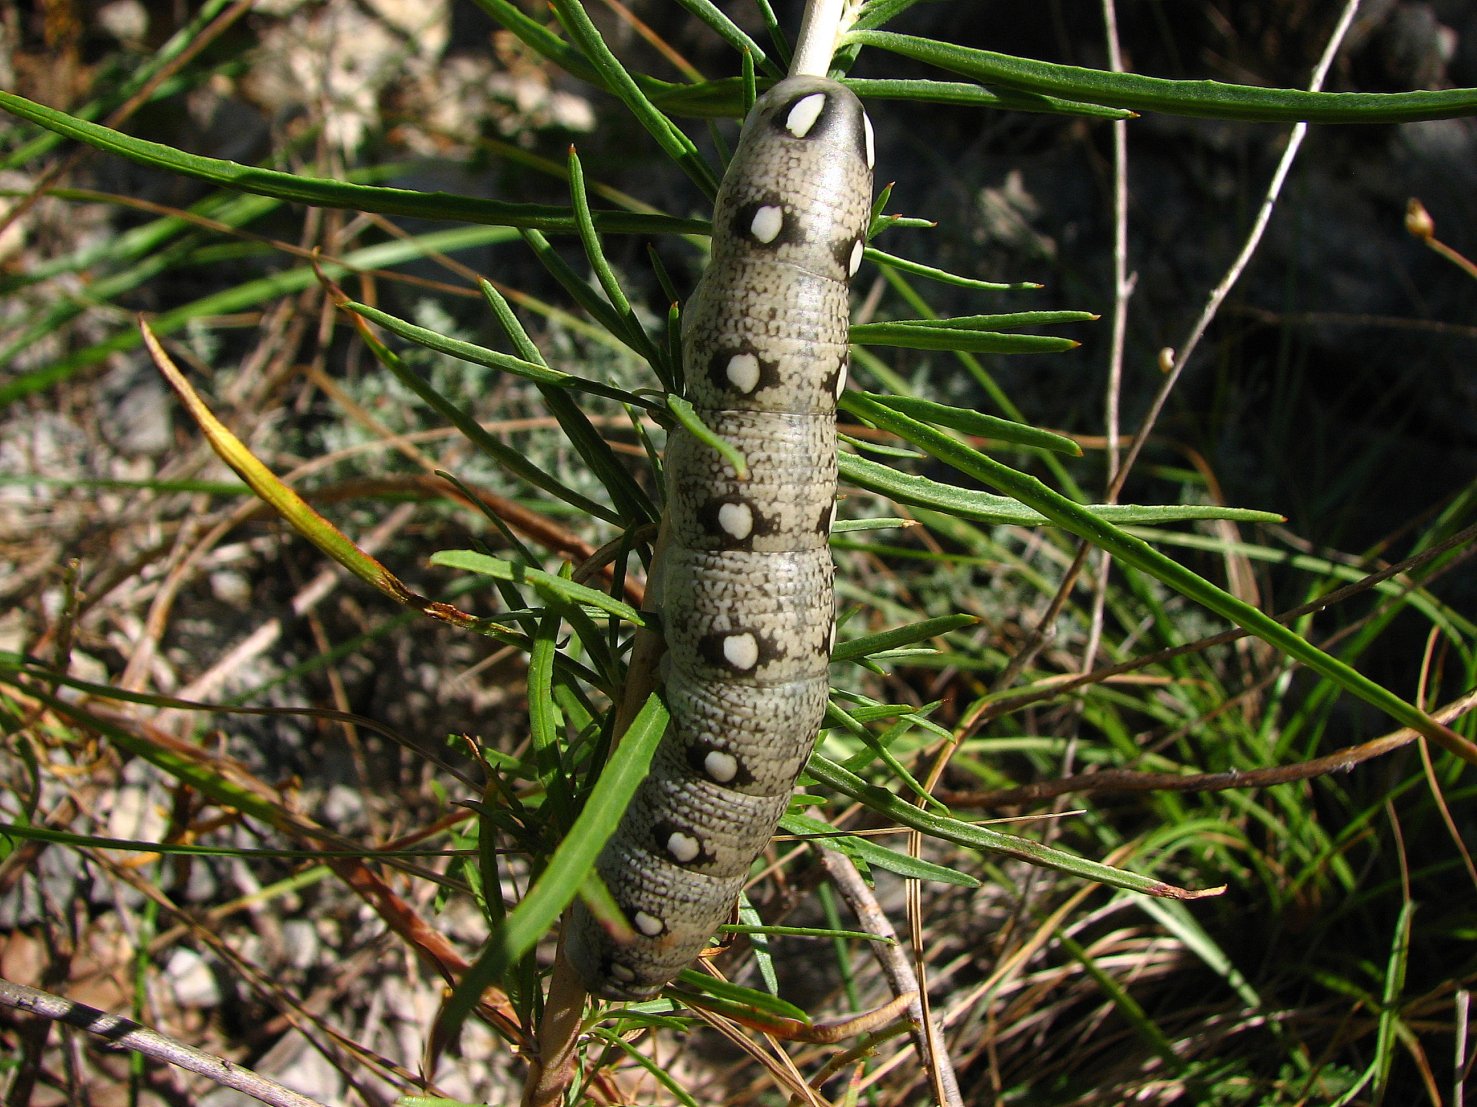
column 745, row 585
